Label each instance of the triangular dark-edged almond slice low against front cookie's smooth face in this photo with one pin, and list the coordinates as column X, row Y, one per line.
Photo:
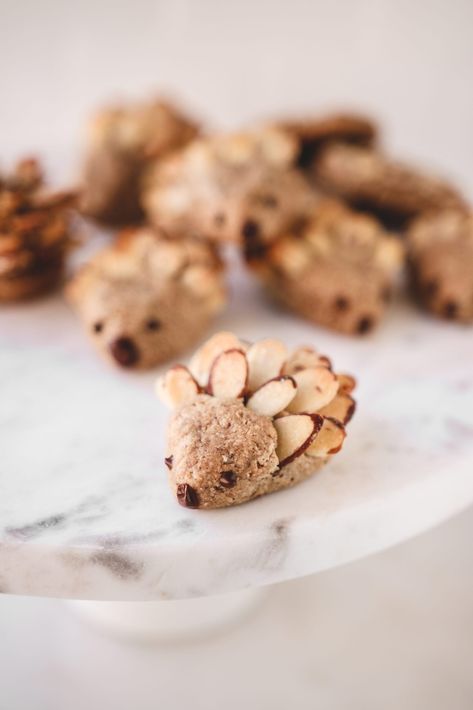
column 295, row 434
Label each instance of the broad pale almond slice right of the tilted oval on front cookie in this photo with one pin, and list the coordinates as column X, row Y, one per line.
column 316, row 387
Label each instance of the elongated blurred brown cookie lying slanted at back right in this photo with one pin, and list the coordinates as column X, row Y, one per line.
column 369, row 180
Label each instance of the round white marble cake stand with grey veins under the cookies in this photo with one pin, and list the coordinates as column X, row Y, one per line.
column 85, row 512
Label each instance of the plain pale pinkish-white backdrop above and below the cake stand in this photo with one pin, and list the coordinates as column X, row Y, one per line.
column 389, row 632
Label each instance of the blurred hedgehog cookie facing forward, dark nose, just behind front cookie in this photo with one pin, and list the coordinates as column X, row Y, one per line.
column 146, row 298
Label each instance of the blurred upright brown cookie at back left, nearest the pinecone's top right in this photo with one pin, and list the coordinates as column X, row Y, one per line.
column 121, row 142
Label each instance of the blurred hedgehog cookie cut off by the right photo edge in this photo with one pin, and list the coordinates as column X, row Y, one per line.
column 440, row 253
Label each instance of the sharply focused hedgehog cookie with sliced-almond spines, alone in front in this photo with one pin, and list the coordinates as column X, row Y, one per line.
column 251, row 419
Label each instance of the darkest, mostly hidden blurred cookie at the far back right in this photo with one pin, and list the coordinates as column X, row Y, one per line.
column 313, row 133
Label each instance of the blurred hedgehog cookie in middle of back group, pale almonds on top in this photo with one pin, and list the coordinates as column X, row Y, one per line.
column 230, row 188
